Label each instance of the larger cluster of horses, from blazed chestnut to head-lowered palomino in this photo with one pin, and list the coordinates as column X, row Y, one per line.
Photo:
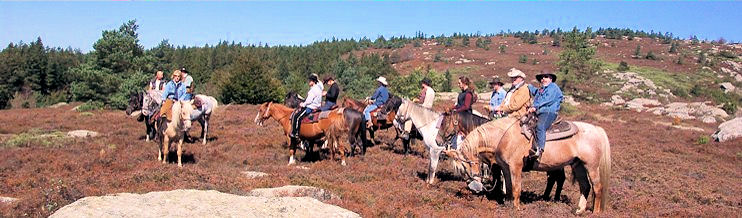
column 494, row 146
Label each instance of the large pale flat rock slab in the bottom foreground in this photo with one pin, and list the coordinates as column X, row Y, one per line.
column 198, row 203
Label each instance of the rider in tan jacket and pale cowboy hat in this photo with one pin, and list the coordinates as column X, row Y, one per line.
column 518, row 98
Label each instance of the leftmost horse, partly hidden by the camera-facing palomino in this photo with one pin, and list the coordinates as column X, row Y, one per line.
column 149, row 103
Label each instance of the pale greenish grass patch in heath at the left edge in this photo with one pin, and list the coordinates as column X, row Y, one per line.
column 36, row 137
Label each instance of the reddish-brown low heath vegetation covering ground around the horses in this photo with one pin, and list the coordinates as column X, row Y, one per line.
column 658, row 170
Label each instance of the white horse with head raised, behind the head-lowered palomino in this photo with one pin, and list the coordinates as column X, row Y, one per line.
column 427, row 123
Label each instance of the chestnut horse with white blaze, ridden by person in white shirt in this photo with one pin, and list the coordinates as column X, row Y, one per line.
column 310, row 132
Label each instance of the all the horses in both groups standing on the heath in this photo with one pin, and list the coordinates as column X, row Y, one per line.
column 490, row 148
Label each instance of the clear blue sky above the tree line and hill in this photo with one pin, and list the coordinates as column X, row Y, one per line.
column 79, row 24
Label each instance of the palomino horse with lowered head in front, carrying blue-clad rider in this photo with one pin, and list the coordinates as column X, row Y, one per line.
column 501, row 142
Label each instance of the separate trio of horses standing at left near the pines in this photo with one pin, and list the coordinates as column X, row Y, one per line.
column 175, row 128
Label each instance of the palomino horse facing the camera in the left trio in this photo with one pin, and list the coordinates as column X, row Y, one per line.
column 173, row 128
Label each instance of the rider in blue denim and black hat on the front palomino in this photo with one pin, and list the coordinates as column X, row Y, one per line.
column 546, row 104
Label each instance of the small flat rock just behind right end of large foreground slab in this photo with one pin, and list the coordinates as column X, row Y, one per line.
column 294, row 191
